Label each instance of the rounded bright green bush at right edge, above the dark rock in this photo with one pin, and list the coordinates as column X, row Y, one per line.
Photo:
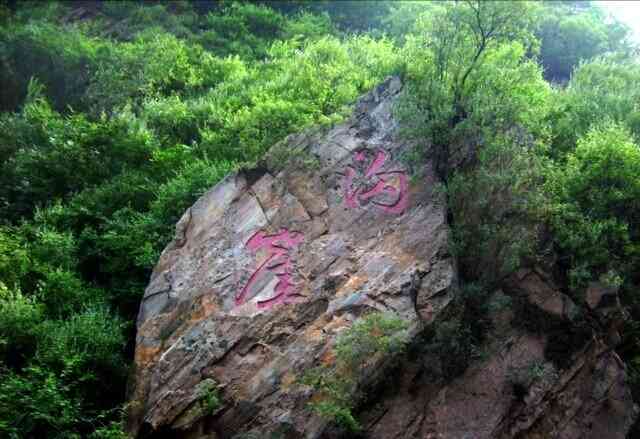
column 596, row 206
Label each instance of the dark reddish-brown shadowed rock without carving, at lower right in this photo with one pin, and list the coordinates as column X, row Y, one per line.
column 515, row 392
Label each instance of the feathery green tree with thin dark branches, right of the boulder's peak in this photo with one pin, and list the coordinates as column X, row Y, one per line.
column 483, row 107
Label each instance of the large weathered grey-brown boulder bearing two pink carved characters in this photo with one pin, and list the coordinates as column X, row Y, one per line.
column 269, row 266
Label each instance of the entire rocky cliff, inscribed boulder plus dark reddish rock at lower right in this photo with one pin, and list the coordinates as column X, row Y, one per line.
column 272, row 264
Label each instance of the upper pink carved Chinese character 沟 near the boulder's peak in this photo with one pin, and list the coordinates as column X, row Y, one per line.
column 366, row 182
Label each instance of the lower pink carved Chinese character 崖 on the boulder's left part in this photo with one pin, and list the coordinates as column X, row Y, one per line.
column 278, row 262
